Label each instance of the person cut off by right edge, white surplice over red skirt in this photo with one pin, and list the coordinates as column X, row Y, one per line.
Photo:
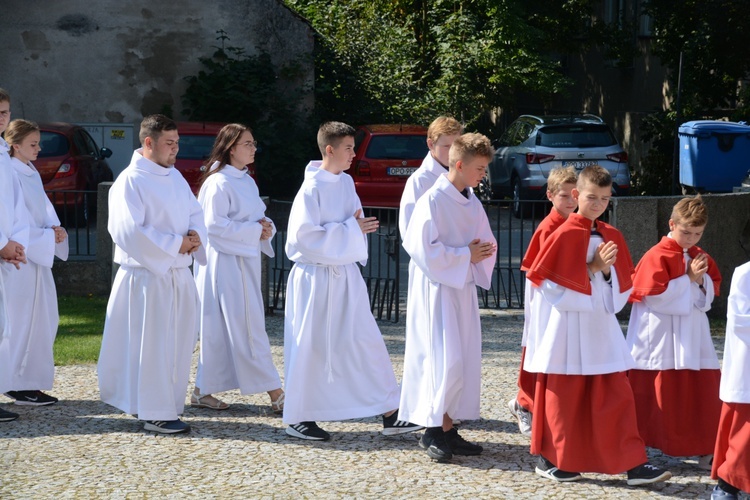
column 732, row 452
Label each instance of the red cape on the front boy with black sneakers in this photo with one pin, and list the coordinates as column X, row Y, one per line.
column 562, row 258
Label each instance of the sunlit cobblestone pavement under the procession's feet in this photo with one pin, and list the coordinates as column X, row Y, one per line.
column 82, row 448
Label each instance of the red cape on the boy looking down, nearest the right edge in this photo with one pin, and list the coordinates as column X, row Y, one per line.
column 663, row 263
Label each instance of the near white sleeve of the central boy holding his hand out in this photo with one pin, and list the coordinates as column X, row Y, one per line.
column 329, row 243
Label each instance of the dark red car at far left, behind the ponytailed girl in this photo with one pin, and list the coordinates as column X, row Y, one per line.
column 70, row 160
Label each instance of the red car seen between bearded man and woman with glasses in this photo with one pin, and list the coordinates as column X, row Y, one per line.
column 196, row 141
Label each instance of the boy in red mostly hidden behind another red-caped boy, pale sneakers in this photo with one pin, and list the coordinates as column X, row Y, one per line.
column 560, row 184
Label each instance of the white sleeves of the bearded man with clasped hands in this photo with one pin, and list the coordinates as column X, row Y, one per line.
column 153, row 249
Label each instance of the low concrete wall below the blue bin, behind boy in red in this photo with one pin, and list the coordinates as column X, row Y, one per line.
column 644, row 220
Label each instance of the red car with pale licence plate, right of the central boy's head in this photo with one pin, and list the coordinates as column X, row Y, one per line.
column 386, row 155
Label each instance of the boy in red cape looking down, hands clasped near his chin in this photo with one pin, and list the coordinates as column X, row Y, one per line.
column 676, row 379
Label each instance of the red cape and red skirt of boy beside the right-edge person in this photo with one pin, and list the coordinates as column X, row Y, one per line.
column 678, row 410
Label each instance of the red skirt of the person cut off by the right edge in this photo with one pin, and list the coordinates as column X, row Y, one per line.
column 732, row 451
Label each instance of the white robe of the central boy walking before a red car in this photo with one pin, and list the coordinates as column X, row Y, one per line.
column 335, row 361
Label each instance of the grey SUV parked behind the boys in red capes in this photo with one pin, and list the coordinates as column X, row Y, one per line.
column 534, row 145
